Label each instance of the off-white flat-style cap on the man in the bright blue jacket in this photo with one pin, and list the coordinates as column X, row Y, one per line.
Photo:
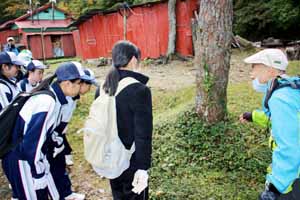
column 270, row 57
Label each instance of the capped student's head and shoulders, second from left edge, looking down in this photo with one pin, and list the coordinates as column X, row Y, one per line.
column 35, row 70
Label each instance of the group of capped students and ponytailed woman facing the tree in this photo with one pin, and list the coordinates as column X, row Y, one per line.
column 37, row 167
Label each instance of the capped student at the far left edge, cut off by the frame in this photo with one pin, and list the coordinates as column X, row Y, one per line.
column 9, row 68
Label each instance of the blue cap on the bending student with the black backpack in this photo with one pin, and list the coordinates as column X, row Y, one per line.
column 69, row 71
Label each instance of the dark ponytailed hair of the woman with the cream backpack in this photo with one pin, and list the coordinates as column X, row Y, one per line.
column 122, row 53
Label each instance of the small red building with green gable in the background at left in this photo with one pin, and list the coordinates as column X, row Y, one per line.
column 46, row 32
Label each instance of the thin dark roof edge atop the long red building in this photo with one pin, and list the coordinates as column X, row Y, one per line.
column 90, row 13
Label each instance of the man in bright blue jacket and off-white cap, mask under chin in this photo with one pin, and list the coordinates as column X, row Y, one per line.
column 280, row 111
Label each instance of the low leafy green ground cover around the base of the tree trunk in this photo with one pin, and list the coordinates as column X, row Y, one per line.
column 194, row 161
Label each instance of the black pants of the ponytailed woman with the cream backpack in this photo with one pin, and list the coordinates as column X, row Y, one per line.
column 121, row 187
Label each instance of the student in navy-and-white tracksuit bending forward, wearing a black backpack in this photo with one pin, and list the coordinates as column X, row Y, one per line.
column 27, row 167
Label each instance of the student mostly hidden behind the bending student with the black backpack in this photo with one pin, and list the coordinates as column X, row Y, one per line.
column 62, row 154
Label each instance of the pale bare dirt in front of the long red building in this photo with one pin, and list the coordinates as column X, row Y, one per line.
column 178, row 74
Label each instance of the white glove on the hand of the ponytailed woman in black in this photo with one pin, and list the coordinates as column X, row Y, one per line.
column 140, row 181
